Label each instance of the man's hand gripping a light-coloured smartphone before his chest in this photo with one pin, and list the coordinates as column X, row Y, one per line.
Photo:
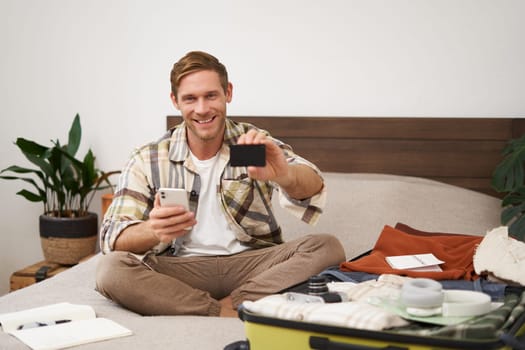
column 170, row 217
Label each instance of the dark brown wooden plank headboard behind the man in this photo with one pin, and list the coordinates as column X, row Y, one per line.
column 458, row 151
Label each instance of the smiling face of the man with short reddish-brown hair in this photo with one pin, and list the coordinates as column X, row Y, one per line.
column 202, row 103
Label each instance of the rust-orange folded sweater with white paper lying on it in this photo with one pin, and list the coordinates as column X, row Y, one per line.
column 456, row 251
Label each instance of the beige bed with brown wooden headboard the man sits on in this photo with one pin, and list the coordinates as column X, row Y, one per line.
column 431, row 173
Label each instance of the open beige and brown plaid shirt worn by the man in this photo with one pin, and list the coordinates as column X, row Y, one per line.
column 246, row 203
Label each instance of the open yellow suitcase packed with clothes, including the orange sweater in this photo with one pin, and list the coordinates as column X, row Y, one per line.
column 270, row 325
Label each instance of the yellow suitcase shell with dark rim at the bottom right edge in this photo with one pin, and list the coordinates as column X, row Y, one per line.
column 266, row 333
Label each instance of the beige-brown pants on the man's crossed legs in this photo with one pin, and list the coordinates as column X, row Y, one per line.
column 169, row 285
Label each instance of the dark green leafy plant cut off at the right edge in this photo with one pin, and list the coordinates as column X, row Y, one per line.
column 509, row 178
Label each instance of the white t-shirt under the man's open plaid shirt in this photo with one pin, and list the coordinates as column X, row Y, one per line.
column 212, row 234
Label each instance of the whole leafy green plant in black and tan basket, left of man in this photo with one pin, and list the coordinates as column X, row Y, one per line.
column 66, row 186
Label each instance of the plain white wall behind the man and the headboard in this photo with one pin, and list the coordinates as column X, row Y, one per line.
column 109, row 60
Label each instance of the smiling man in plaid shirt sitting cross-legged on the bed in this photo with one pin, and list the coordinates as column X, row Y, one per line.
column 227, row 247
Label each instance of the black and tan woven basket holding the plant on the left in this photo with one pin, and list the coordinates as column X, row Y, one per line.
column 67, row 240
